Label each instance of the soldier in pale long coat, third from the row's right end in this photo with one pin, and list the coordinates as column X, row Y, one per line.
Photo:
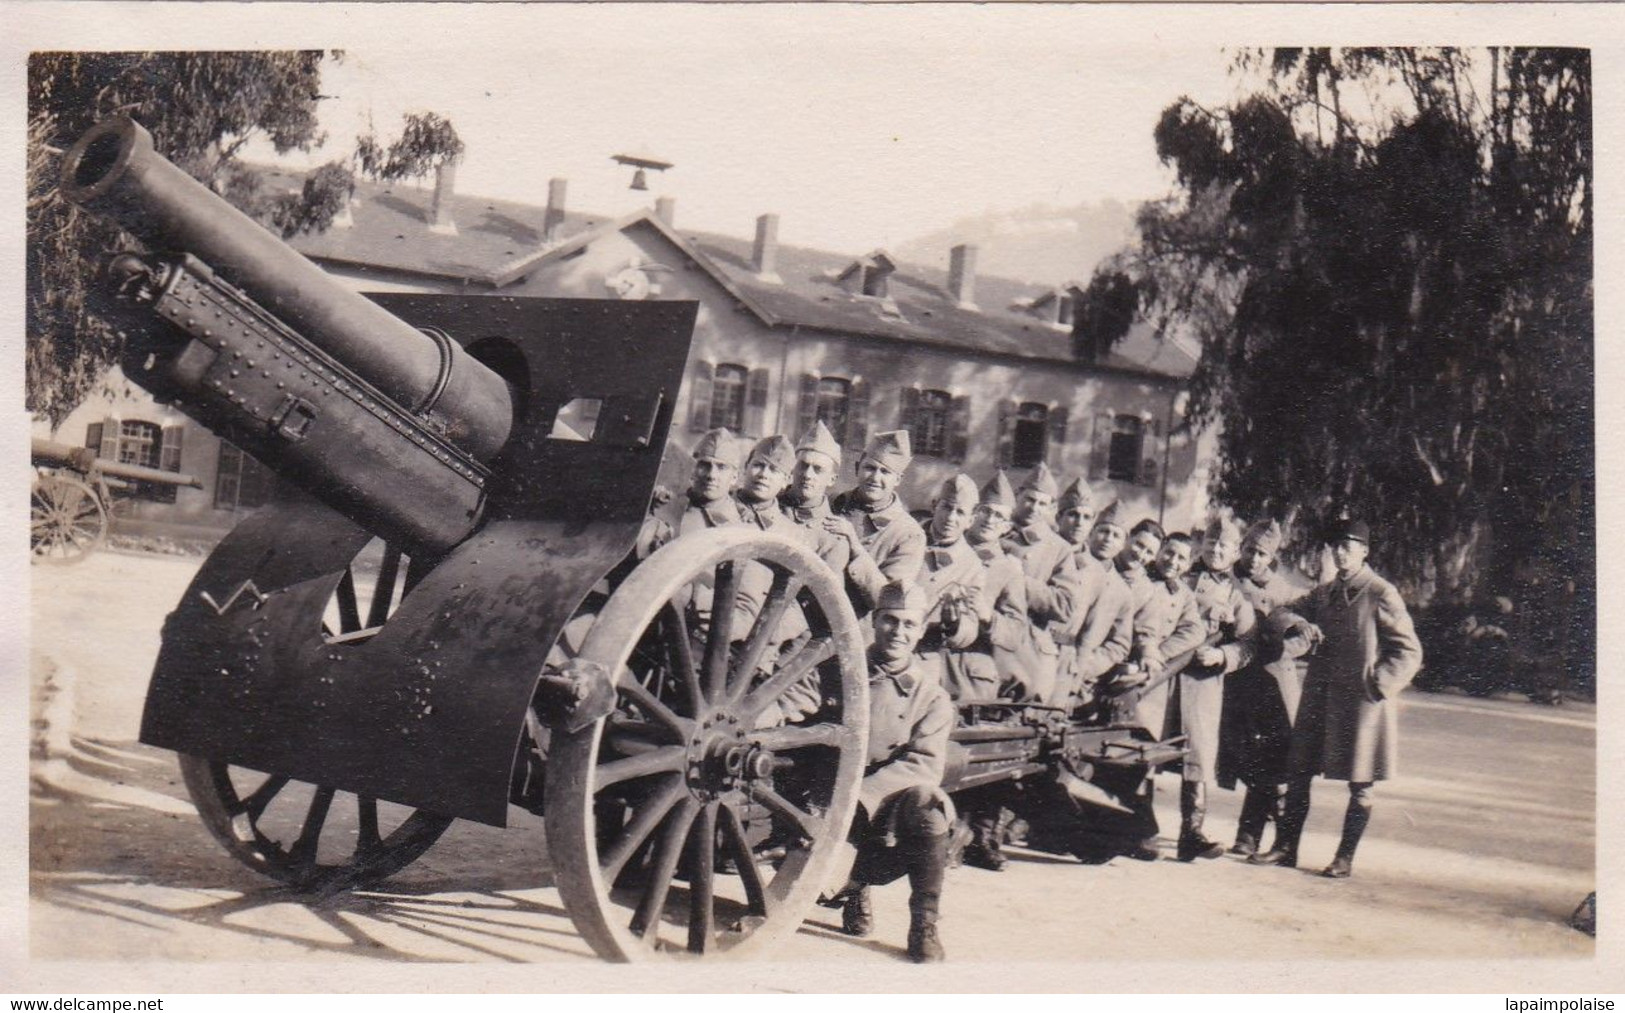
column 1202, row 687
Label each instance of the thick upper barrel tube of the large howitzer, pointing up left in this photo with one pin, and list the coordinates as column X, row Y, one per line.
column 115, row 170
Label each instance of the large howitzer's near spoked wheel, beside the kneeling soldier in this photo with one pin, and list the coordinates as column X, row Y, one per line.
column 704, row 814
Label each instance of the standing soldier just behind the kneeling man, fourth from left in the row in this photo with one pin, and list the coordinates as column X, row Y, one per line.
column 886, row 542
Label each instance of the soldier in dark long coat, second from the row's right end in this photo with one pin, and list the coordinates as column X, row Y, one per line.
column 1263, row 697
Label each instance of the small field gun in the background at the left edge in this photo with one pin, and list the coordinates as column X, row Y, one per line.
column 74, row 497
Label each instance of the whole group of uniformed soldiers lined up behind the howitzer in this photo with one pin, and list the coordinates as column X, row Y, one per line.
column 1054, row 598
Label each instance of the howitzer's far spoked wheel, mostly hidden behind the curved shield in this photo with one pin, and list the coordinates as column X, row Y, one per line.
column 314, row 837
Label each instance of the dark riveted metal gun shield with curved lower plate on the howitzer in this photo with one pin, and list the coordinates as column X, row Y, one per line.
column 274, row 664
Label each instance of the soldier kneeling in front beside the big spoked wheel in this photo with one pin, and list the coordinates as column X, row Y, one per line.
column 903, row 820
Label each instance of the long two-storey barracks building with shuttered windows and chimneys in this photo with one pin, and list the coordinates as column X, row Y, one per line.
column 984, row 372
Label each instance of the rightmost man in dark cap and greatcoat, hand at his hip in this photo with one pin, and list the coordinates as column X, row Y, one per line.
column 1348, row 723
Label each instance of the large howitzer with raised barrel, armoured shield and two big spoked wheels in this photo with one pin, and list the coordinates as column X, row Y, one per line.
column 379, row 653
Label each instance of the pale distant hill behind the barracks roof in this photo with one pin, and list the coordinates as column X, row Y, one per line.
column 1039, row 245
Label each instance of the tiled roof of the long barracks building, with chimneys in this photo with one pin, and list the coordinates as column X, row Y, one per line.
column 391, row 230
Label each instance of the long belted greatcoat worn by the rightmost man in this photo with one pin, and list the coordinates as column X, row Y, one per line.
column 1348, row 724
